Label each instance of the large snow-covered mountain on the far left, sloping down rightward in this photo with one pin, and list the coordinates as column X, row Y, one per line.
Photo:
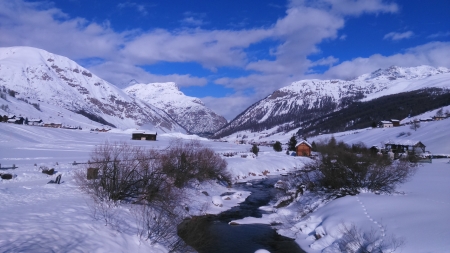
column 44, row 78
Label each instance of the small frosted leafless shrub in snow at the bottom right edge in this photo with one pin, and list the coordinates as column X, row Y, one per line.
column 354, row 240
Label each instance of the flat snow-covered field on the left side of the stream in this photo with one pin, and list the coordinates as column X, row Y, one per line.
column 40, row 217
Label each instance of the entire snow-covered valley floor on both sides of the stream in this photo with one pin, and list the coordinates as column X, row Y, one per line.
column 41, row 217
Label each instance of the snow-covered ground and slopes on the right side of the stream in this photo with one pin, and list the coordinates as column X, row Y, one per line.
column 416, row 214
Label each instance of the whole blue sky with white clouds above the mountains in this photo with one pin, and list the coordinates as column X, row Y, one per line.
column 232, row 53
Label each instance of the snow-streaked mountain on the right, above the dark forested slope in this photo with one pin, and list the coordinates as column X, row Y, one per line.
column 307, row 100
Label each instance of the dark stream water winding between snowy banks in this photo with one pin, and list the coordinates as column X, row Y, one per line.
column 213, row 234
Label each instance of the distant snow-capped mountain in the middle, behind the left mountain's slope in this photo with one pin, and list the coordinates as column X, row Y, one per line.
column 189, row 112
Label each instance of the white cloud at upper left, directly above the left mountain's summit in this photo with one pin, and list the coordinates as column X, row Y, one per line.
column 37, row 25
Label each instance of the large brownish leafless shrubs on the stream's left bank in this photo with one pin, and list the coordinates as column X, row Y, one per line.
column 151, row 181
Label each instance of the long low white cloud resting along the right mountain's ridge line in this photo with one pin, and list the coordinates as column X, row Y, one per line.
column 435, row 54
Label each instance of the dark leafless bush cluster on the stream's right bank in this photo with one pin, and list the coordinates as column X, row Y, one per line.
column 345, row 169
